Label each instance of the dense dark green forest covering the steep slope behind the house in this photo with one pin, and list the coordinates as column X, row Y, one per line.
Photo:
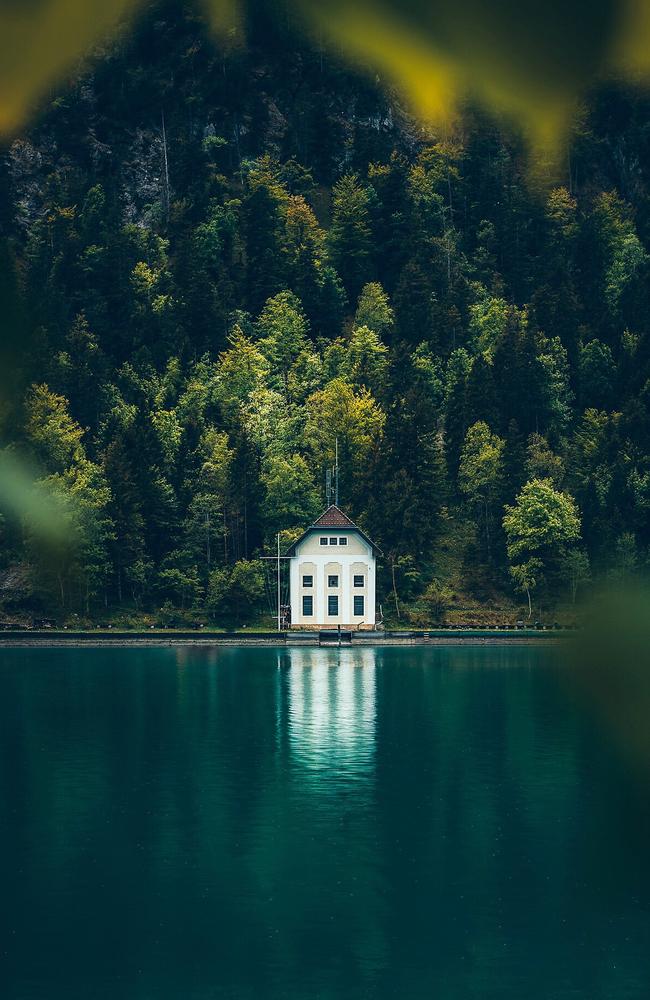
column 218, row 261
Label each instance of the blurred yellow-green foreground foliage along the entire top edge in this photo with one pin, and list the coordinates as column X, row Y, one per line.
column 532, row 61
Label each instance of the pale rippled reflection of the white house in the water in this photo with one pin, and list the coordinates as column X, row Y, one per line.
column 332, row 710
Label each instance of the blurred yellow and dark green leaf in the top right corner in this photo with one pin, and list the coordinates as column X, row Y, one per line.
column 530, row 61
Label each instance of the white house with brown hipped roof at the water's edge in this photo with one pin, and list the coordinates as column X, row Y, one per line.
column 332, row 575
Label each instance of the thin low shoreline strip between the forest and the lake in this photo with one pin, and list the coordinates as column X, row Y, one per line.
column 284, row 640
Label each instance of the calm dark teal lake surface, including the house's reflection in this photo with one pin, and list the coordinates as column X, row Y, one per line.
column 182, row 824
